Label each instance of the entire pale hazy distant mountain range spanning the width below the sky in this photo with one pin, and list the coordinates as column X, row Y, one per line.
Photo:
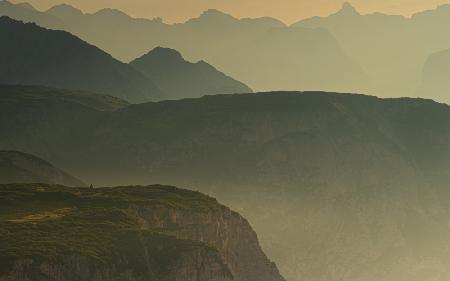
column 345, row 52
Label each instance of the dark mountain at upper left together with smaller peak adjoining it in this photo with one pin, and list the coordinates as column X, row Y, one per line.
column 59, row 59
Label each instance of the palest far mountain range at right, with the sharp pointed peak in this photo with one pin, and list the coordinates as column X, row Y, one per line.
column 391, row 49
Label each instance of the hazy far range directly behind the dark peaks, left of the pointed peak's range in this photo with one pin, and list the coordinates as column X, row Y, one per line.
column 262, row 53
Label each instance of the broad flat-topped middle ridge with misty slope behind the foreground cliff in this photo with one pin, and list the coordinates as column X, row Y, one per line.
column 357, row 184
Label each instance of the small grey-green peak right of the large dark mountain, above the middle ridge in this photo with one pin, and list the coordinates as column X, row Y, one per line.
column 178, row 78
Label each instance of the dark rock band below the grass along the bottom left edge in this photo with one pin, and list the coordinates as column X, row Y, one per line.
column 196, row 265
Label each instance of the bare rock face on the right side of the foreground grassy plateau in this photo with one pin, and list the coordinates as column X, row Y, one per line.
column 224, row 229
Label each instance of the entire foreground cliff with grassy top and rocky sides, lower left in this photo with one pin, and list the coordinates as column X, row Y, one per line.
column 127, row 233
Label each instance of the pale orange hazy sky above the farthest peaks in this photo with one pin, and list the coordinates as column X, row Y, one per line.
column 286, row 10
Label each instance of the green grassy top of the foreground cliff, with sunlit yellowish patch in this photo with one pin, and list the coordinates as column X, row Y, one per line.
column 49, row 221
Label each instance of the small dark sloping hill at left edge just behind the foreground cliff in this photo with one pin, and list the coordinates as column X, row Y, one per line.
column 20, row 167
